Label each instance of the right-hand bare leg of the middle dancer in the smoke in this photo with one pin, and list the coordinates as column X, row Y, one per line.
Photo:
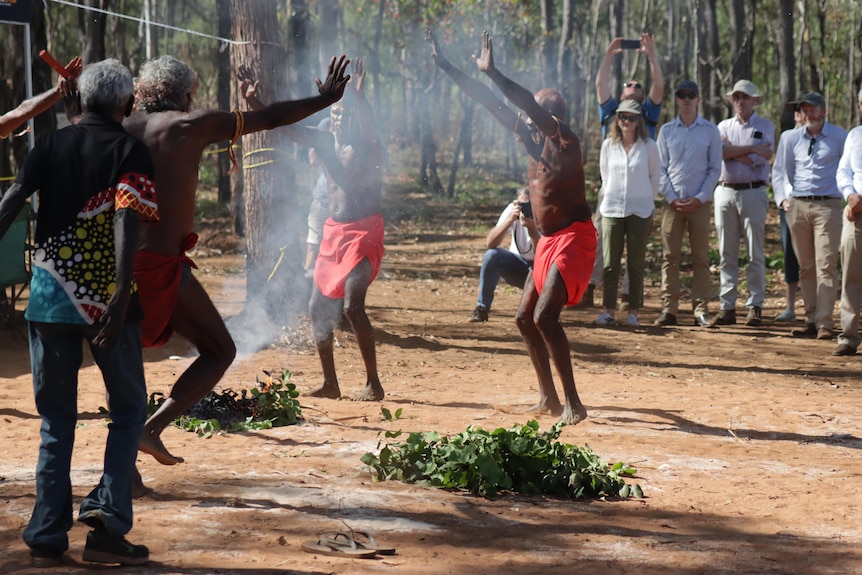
column 354, row 308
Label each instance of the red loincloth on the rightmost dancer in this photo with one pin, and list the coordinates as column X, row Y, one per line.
column 573, row 249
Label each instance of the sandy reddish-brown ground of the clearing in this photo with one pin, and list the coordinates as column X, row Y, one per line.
column 746, row 443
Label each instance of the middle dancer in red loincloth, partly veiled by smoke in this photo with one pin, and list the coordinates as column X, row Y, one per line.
column 352, row 245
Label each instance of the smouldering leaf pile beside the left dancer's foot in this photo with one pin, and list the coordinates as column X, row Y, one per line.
column 270, row 404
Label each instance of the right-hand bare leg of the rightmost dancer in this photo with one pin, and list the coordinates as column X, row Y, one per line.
column 547, row 319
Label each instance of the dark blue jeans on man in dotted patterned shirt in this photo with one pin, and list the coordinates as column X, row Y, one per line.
column 56, row 354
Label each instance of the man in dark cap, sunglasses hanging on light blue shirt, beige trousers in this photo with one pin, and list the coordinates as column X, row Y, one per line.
column 804, row 184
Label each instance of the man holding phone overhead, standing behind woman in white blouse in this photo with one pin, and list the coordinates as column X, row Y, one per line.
column 651, row 107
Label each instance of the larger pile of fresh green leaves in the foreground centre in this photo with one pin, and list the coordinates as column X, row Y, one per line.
column 520, row 459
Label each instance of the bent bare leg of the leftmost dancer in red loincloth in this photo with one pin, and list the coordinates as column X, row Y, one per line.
column 196, row 318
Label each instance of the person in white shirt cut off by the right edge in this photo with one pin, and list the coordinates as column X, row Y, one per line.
column 850, row 183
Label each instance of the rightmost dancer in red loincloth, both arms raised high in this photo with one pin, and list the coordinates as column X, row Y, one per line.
column 567, row 250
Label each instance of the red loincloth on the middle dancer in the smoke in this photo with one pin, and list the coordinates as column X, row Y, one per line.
column 344, row 246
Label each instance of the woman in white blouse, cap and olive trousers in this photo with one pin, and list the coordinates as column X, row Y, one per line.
column 630, row 183
